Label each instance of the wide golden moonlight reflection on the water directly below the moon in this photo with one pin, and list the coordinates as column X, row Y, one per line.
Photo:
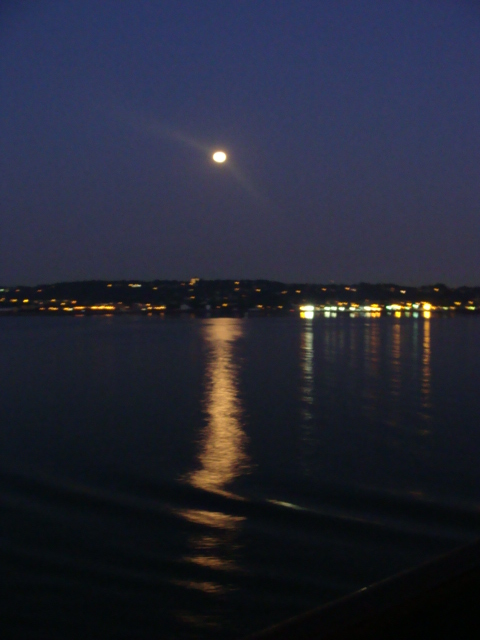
column 221, row 459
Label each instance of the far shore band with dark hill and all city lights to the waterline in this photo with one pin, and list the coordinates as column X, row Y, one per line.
column 202, row 298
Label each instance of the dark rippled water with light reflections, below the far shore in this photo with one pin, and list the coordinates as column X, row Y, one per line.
column 205, row 478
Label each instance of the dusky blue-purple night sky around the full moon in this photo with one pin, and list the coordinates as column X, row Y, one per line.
column 352, row 130
